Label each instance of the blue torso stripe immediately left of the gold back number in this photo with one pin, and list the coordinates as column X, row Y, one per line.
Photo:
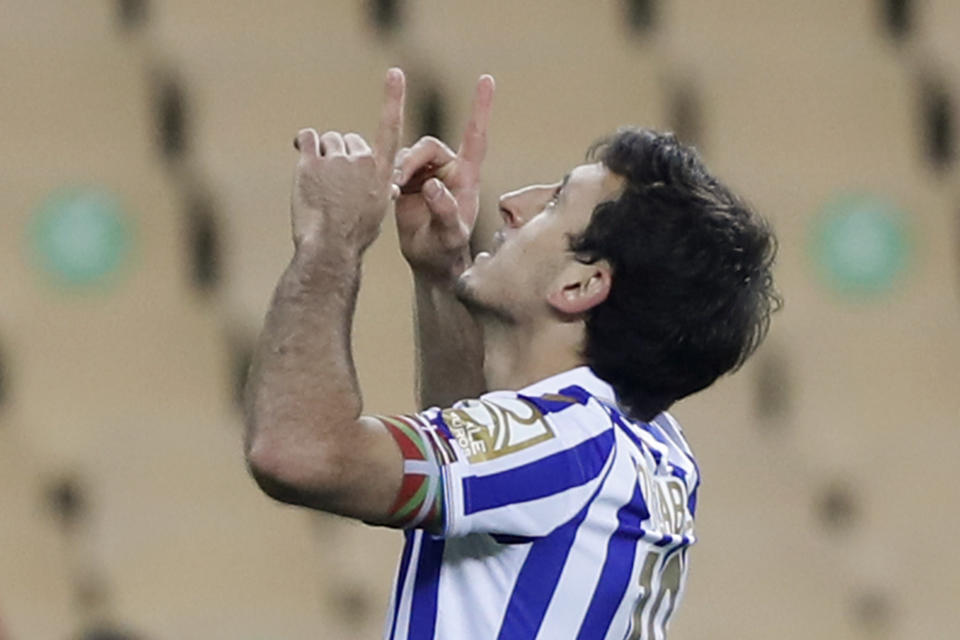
column 617, row 568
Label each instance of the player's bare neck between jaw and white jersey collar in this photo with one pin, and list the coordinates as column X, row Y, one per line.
column 517, row 355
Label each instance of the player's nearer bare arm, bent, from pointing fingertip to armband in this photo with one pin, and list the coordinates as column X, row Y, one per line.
column 306, row 441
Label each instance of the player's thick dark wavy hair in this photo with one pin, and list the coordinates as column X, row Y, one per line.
column 692, row 288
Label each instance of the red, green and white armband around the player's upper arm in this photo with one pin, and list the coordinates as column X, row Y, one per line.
column 420, row 499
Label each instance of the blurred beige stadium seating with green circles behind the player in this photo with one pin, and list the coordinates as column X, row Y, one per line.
column 144, row 172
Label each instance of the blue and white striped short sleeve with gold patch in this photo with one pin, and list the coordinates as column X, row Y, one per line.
column 520, row 465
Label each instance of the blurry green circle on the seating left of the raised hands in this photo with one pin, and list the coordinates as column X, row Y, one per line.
column 79, row 236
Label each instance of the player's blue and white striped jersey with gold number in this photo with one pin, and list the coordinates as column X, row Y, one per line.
column 562, row 519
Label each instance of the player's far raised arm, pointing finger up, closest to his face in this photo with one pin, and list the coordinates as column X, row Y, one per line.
column 436, row 214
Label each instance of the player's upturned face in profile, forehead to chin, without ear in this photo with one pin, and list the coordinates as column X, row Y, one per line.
column 533, row 246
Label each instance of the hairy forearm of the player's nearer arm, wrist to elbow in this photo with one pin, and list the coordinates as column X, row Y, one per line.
column 302, row 388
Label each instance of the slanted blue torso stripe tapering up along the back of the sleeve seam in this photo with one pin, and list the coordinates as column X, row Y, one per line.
column 538, row 579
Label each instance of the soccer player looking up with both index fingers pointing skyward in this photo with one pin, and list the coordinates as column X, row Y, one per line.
column 543, row 489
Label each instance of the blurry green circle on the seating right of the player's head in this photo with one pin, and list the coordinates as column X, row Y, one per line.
column 860, row 244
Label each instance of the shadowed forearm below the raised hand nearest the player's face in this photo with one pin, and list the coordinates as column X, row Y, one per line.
column 449, row 345
